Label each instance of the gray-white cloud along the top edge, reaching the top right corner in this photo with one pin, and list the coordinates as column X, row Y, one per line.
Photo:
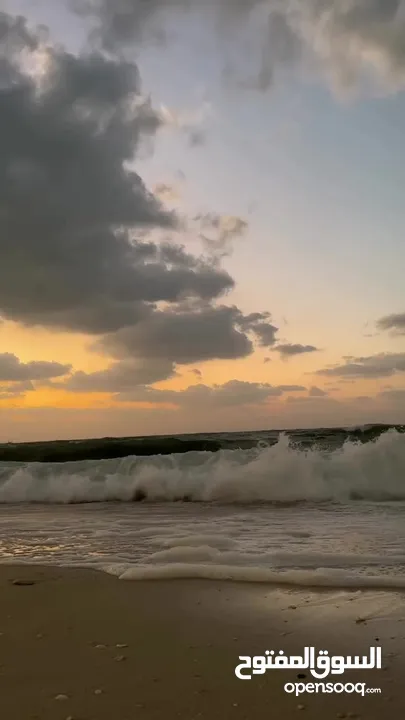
column 346, row 41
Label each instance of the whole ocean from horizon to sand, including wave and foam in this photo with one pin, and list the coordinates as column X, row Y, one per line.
column 309, row 508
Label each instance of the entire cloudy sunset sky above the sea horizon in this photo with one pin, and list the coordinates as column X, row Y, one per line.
column 201, row 216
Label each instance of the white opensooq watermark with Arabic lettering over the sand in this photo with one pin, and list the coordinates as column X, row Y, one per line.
column 320, row 665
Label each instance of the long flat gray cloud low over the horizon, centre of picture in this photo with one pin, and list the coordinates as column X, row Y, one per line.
column 232, row 393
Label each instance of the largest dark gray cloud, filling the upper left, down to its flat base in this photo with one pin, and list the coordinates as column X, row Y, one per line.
column 71, row 209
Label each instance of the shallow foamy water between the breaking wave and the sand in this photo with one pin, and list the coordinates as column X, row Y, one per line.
column 354, row 545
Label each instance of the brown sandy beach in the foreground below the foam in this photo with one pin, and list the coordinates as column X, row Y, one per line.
column 167, row 649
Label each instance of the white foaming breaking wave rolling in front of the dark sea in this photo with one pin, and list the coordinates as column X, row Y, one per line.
column 281, row 473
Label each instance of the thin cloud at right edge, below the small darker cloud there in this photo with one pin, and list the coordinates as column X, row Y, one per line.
column 374, row 366
